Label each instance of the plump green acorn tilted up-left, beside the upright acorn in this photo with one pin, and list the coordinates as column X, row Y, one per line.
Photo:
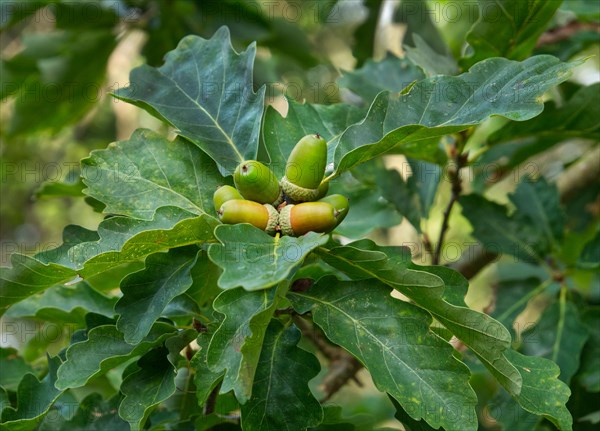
column 257, row 183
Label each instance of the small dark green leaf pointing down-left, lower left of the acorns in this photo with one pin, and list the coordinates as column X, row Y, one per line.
column 147, row 293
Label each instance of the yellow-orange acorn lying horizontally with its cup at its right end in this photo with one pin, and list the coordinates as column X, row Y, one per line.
column 236, row 211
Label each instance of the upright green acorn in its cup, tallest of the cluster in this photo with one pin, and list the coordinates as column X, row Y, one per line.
column 305, row 168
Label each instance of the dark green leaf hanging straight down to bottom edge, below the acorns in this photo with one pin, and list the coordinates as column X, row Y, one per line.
column 281, row 398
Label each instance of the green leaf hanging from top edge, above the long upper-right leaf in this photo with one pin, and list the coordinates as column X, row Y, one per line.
column 508, row 28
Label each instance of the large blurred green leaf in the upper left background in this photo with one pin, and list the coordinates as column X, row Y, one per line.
column 61, row 80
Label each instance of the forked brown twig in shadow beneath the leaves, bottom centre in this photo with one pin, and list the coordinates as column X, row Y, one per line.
column 342, row 365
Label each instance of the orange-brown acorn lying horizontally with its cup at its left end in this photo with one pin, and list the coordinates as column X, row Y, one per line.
column 296, row 220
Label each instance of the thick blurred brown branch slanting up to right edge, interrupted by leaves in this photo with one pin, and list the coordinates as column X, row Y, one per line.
column 578, row 176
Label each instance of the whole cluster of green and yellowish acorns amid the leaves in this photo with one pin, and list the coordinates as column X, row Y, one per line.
column 293, row 206
